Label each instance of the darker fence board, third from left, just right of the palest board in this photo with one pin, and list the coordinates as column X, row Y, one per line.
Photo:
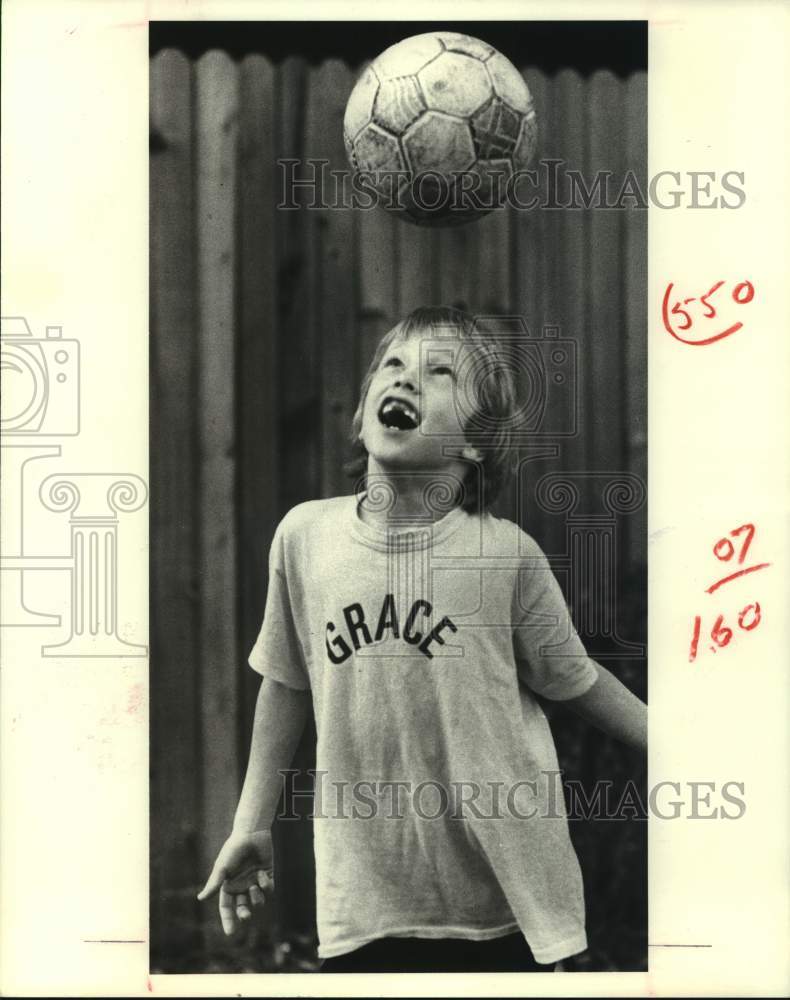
column 258, row 397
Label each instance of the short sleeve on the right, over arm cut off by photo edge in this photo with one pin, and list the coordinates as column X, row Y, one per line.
column 550, row 656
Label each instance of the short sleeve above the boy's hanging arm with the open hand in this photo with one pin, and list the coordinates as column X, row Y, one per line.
column 278, row 652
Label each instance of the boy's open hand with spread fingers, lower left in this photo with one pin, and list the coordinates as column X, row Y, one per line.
column 241, row 874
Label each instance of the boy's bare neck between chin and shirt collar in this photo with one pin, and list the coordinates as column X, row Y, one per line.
column 399, row 498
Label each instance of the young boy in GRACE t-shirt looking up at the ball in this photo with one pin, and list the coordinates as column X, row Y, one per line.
column 421, row 626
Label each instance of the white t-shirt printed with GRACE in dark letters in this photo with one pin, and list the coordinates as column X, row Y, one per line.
column 422, row 648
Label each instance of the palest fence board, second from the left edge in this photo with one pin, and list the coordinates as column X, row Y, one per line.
column 216, row 118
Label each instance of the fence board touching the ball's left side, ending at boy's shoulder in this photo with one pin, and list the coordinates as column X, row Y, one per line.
column 331, row 86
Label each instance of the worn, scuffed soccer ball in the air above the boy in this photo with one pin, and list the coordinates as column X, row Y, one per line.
column 437, row 125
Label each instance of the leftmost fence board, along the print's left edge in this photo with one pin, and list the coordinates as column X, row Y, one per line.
column 174, row 615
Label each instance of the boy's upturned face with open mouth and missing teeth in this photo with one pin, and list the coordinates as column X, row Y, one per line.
column 410, row 414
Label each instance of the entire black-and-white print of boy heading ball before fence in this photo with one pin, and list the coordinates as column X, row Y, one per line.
column 398, row 496
